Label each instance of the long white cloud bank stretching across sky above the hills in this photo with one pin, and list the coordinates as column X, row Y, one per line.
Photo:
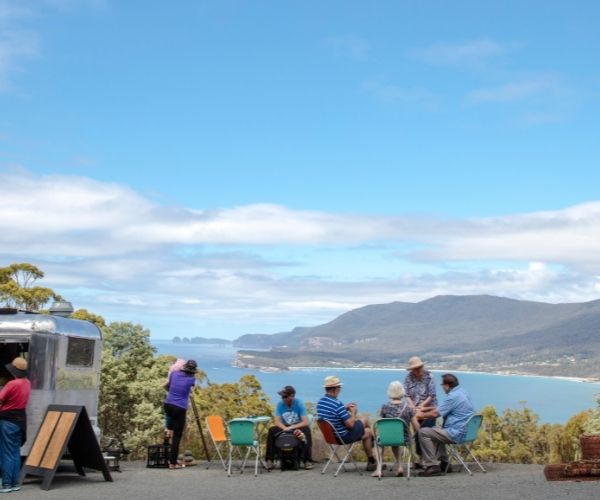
column 120, row 254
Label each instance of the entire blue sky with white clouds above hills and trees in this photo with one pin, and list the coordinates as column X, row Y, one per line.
column 219, row 168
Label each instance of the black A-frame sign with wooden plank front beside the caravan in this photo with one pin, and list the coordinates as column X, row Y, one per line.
column 64, row 428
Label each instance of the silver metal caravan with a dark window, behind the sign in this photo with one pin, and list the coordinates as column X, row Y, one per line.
column 64, row 362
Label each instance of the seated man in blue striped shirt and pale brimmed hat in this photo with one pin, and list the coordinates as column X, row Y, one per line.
column 349, row 427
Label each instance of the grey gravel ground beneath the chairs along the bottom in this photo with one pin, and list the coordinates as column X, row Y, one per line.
column 502, row 481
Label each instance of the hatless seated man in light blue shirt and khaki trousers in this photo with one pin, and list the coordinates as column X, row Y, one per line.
column 456, row 410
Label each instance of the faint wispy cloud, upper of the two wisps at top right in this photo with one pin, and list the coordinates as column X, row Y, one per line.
column 473, row 52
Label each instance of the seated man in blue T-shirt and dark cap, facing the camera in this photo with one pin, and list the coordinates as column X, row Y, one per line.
column 290, row 416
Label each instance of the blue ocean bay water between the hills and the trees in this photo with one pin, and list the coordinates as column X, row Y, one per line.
column 555, row 400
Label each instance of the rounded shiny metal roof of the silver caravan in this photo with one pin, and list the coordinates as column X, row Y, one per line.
column 26, row 324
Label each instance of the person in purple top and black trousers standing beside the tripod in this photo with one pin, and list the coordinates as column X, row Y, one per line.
column 176, row 404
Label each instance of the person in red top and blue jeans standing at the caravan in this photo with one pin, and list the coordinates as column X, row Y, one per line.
column 13, row 423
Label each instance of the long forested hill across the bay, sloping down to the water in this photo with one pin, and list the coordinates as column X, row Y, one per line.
column 469, row 332
